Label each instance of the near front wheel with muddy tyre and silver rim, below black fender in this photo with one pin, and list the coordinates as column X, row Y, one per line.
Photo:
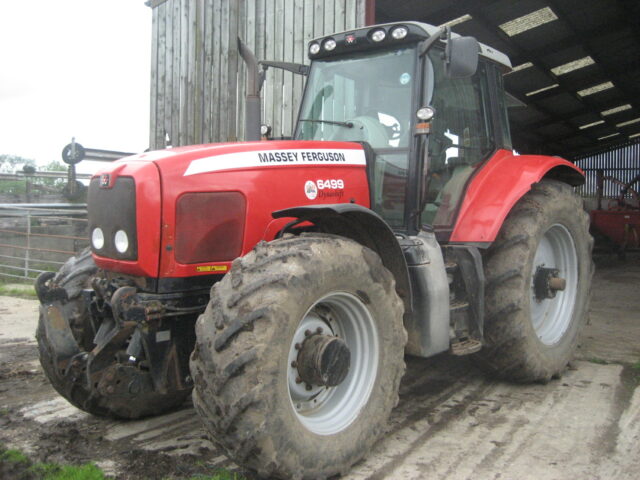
column 277, row 300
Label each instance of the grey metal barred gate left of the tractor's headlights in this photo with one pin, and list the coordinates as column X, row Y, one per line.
column 35, row 238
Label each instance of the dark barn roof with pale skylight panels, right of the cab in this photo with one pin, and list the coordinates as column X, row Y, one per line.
column 575, row 44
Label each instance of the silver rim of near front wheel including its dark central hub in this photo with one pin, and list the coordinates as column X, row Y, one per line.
column 335, row 348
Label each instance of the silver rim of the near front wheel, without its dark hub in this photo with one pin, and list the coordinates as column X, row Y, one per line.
column 328, row 410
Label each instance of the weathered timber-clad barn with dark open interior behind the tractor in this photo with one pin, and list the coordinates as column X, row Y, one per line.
column 575, row 81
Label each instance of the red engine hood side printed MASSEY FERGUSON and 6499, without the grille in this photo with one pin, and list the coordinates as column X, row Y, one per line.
column 267, row 188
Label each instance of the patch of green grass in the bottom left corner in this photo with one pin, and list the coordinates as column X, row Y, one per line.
column 15, row 464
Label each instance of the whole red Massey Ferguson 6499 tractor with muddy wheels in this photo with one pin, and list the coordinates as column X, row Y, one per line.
column 296, row 274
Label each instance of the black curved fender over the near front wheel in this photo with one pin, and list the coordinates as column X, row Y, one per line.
column 364, row 226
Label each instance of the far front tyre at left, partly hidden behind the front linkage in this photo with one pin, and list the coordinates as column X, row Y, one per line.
column 74, row 276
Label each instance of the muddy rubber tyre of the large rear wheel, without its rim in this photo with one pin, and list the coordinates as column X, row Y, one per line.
column 510, row 351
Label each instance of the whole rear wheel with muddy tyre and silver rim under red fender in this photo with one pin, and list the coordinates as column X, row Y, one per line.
column 532, row 320
